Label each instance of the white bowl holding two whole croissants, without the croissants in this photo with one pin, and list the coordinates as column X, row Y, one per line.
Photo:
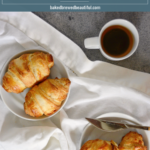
column 15, row 102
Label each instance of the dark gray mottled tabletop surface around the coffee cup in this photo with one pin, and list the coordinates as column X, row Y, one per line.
column 80, row 25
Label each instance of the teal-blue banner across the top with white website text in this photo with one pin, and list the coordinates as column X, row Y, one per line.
column 104, row 5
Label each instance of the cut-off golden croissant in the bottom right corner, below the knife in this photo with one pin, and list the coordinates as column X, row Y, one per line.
column 132, row 141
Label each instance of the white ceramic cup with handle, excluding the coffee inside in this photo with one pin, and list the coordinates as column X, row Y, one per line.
column 94, row 42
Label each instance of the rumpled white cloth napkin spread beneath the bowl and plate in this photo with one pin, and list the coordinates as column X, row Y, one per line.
column 97, row 88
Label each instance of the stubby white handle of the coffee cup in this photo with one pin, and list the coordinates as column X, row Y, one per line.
column 92, row 43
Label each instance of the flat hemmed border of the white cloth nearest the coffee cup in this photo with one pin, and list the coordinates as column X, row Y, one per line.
column 54, row 41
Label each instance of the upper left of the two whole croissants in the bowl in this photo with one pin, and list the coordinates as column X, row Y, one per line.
column 26, row 71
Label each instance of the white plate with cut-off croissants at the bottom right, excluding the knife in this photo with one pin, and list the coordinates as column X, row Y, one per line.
column 130, row 139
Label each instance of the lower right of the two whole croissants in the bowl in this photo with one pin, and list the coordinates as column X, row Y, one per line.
column 46, row 98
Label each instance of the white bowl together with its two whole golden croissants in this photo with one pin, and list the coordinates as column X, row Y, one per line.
column 34, row 84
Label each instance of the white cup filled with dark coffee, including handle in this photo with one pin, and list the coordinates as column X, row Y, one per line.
column 117, row 40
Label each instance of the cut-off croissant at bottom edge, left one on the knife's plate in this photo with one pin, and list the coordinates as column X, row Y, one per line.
column 99, row 145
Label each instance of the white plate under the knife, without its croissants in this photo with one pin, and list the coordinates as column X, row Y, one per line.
column 91, row 133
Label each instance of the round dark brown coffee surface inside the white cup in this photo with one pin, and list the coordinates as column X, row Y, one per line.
column 117, row 41
